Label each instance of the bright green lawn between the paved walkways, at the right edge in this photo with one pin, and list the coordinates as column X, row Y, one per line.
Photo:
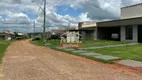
column 126, row 52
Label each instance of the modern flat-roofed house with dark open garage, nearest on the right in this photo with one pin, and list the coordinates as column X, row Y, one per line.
column 128, row 28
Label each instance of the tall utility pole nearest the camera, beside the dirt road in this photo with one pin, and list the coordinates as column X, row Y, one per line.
column 44, row 24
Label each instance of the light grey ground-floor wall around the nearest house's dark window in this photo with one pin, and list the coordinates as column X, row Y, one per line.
column 135, row 34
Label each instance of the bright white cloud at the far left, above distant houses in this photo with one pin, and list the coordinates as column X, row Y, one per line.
column 17, row 22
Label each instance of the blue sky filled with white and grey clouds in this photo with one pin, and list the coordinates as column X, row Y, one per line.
column 19, row 15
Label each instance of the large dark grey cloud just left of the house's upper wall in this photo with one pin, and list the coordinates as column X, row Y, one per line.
column 101, row 9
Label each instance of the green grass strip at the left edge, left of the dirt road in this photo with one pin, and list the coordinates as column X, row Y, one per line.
column 3, row 47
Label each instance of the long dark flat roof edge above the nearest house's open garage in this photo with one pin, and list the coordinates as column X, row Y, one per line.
column 120, row 22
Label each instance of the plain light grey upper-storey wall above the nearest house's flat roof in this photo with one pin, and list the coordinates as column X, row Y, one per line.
column 131, row 11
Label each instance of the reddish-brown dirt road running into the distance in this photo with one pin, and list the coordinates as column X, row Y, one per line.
column 24, row 61
